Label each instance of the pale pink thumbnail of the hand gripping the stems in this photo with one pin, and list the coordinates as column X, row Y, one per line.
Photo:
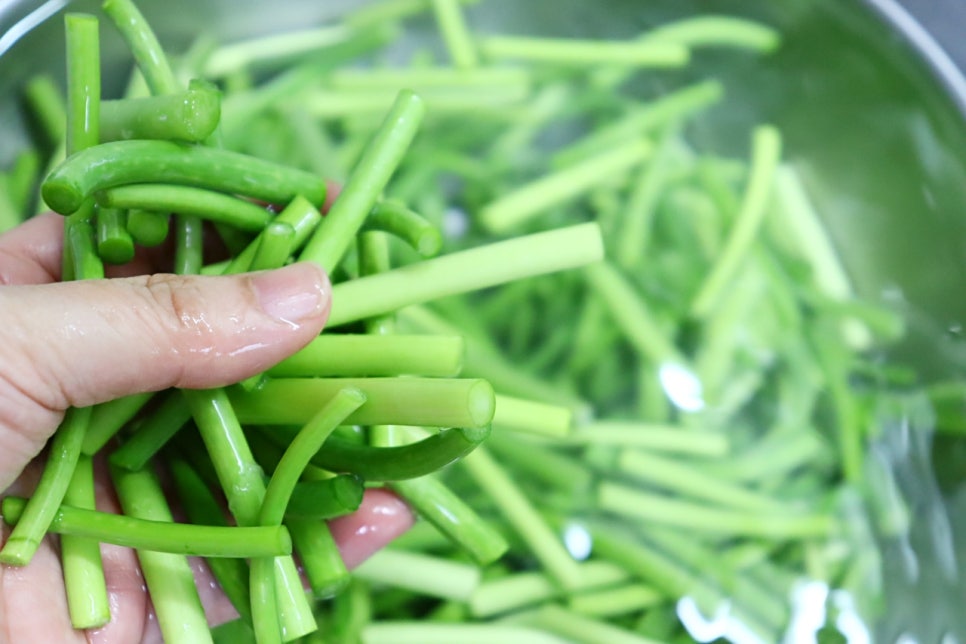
column 293, row 294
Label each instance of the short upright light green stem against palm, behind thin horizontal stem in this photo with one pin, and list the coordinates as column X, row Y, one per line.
column 83, row 567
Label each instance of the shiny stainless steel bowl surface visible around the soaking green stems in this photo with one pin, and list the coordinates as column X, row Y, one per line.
column 873, row 109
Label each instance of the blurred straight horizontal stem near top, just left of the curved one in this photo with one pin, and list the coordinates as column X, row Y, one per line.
column 584, row 53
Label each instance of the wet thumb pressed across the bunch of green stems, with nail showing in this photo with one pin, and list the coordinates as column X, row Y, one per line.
column 80, row 343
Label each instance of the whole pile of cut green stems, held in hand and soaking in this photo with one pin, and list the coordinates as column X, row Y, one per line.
column 623, row 382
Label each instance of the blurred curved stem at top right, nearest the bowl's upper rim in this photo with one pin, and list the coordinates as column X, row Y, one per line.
column 716, row 31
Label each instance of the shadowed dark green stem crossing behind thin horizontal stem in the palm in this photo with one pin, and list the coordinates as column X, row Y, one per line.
column 201, row 508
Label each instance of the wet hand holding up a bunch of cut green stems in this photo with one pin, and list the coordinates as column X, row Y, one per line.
column 81, row 343
